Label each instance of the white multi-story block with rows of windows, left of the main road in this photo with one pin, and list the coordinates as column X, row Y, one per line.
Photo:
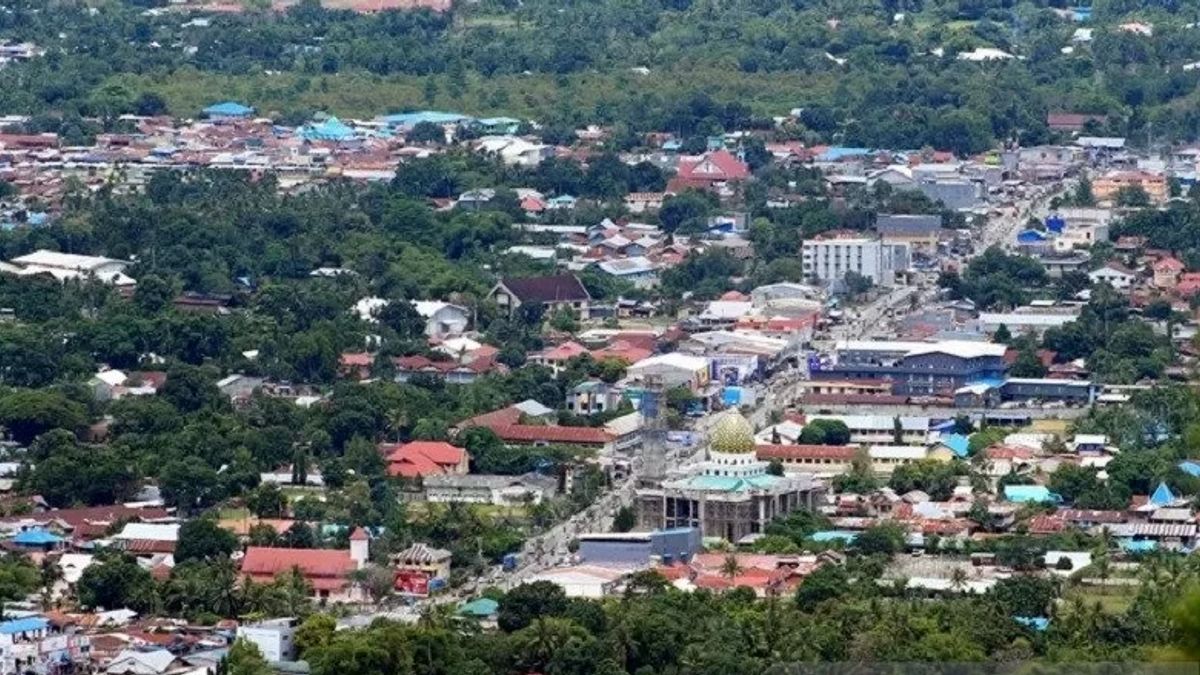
column 827, row 260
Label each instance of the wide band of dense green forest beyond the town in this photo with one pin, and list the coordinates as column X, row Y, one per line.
column 878, row 74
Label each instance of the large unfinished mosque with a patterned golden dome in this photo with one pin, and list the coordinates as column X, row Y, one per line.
column 730, row 495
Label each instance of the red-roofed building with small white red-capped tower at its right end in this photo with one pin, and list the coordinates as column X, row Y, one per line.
column 328, row 571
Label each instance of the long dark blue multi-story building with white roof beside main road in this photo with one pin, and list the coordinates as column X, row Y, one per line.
column 917, row 369
